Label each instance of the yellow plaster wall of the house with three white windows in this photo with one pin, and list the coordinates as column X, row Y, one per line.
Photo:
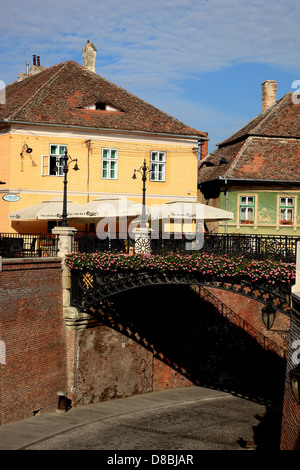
column 24, row 173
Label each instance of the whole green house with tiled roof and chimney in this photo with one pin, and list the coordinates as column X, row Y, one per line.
column 256, row 172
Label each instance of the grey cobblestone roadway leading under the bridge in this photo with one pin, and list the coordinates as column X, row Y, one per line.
column 216, row 423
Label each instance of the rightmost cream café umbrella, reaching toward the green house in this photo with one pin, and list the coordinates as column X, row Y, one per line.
column 190, row 211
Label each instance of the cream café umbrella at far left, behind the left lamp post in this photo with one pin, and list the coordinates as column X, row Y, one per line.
column 47, row 210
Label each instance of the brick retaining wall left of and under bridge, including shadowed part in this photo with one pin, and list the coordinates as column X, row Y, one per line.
column 145, row 340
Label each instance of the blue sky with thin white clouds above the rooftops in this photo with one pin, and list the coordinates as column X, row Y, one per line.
column 202, row 61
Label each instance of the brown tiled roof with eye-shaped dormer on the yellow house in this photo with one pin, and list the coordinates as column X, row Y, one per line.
column 63, row 93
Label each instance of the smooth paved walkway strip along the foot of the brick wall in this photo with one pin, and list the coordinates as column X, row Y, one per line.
column 20, row 434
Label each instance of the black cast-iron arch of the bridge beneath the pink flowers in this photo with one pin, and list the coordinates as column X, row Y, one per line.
column 89, row 288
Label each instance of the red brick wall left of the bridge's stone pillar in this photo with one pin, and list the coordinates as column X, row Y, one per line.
column 33, row 332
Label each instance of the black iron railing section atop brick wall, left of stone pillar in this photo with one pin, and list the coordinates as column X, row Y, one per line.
column 27, row 245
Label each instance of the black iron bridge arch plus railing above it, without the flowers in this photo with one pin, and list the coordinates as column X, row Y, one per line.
column 91, row 287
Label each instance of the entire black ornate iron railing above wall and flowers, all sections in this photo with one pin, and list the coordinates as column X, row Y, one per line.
column 17, row 245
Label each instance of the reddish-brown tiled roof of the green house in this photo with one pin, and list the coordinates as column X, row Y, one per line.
column 266, row 149
